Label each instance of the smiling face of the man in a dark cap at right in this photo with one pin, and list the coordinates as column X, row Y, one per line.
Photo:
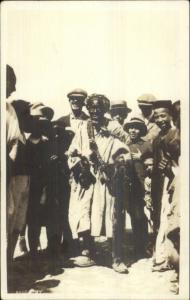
column 162, row 118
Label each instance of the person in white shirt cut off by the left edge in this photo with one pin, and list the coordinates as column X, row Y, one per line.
column 17, row 186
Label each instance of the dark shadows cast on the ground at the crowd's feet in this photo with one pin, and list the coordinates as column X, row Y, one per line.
column 27, row 275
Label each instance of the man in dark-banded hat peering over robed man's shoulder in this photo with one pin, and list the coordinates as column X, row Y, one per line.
column 119, row 112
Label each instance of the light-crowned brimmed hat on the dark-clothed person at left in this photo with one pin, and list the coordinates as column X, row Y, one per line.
column 39, row 109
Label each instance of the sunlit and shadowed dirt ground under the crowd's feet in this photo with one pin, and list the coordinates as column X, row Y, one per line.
column 98, row 281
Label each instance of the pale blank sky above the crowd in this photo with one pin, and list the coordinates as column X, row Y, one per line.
column 121, row 49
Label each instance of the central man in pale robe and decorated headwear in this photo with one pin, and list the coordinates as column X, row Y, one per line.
column 94, row 154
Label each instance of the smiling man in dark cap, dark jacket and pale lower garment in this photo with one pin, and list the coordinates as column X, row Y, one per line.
column 166, row 151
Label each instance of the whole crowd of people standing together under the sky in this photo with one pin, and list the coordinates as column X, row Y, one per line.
column 80, row 174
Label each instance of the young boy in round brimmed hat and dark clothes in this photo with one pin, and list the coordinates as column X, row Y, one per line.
column 140, row 151
